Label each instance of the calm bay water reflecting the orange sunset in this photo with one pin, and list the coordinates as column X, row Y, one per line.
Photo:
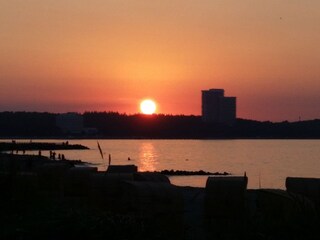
column 266, row 162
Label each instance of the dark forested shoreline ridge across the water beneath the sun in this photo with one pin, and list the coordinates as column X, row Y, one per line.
column 115, row 125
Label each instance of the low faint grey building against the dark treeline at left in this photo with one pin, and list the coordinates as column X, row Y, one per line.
column 70, row 123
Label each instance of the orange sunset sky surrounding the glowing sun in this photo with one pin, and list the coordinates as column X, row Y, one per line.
column 107, row 55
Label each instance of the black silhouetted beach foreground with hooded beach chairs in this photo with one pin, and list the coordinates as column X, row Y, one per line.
column 46, row 199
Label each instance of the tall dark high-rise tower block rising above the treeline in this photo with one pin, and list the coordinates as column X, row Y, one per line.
column 216, row 108
